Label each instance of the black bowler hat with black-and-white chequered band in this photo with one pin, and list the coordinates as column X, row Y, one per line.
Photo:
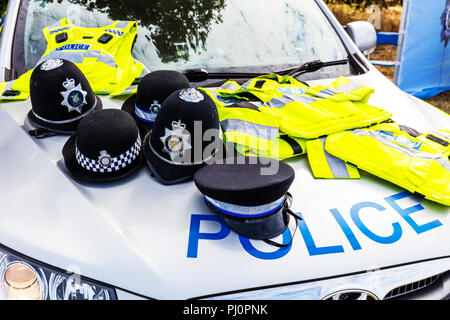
column 106, row 147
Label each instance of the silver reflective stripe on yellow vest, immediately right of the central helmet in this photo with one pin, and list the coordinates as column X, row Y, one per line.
column 250, row 128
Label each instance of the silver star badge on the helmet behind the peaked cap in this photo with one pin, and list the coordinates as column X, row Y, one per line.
column 176, row 141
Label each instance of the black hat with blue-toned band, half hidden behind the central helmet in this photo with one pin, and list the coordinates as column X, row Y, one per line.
column 152, row 90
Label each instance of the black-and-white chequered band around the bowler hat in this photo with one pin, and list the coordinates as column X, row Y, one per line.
column 116, row 163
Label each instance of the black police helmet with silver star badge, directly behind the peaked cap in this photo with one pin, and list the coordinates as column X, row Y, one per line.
column 175, row 148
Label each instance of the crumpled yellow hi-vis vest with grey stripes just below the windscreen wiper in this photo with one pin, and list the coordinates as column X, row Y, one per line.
column 311, row 112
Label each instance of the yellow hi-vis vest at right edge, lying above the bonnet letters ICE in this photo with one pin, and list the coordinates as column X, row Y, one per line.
column 419, row 163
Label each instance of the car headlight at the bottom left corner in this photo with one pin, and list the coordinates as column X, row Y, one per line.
column 21, row 279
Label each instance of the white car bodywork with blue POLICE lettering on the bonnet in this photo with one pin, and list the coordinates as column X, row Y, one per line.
column 151, row 240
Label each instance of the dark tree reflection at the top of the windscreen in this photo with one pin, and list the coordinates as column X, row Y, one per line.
column 173, row 26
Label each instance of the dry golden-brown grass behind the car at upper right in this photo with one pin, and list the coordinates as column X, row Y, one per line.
column 389, row 22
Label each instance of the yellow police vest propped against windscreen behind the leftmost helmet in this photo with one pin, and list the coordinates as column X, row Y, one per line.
column 102, row 54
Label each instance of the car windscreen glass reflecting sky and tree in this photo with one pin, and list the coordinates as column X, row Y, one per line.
column 190, row 34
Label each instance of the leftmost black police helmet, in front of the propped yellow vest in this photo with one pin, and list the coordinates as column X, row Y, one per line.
column 61, row 96
